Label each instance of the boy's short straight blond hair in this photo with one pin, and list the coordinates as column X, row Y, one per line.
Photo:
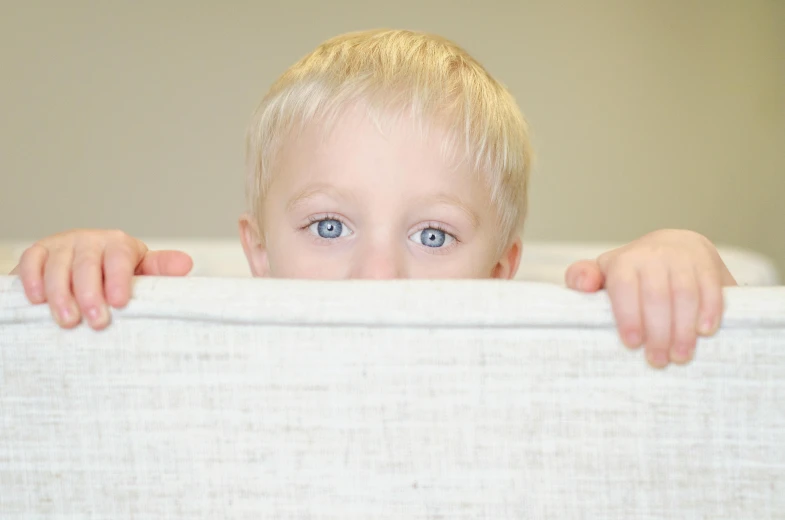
column 433, row 78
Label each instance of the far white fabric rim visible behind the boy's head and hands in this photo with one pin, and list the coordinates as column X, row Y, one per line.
column 541, row 262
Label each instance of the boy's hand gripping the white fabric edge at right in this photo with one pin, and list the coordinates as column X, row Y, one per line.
column 665, row 290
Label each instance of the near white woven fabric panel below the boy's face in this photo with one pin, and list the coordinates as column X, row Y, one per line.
column 246, row 399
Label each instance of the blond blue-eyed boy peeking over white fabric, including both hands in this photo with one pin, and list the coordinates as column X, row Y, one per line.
column 393, row 154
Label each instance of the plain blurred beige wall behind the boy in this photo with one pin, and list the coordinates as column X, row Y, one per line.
column 645, row 114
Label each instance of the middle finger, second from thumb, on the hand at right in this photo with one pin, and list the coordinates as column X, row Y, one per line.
column 657, row 314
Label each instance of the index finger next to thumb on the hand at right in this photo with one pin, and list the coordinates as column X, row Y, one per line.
column 623, row 287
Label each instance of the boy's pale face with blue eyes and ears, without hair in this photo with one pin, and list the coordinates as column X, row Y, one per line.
column 383, row 194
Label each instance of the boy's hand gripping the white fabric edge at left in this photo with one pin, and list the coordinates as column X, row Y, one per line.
column 83, row 272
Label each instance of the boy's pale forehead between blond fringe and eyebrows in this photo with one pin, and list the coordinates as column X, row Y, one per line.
column 355, row 156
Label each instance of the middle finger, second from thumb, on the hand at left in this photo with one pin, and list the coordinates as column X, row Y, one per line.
column 88, row 282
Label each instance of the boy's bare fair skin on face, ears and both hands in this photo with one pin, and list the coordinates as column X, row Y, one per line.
column 359, row 203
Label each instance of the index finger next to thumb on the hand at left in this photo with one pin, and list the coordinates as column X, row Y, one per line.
column 121, row 259
